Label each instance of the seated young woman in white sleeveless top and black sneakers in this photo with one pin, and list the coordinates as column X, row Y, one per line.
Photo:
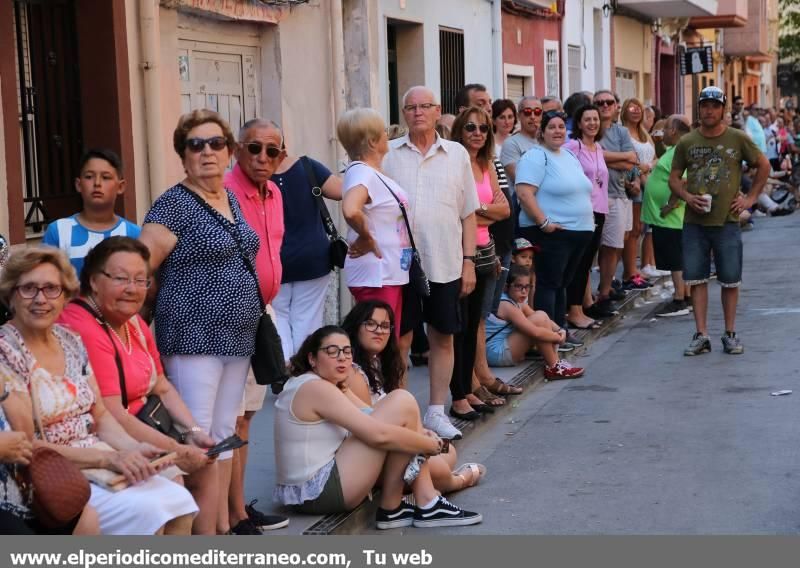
column 329, row 454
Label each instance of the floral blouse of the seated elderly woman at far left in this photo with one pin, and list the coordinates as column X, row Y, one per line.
column 64, row 401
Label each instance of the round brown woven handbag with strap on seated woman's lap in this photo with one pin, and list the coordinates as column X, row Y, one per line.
column 56, row 487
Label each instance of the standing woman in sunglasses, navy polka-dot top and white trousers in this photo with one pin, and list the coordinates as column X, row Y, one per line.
column 207, row 306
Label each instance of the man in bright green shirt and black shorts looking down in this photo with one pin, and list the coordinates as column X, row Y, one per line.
column 663, row 211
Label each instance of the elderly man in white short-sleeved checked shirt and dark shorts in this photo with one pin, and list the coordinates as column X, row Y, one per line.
column 437, row 176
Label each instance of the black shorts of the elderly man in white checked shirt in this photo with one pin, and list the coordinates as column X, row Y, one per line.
column 441, row 310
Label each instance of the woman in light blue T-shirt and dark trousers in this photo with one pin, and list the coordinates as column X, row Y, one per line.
column 557, row 214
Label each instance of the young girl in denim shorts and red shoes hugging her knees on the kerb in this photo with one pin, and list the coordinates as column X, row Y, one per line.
column 516, row 327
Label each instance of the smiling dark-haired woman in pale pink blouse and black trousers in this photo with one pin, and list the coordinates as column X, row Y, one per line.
column 586, row 132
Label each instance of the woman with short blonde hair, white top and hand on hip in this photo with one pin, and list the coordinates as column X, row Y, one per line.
column 374, row 207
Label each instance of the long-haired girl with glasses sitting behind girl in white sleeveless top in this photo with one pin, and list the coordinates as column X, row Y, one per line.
column 378, row 369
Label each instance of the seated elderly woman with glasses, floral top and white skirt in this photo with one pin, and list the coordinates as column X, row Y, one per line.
column 49, row 372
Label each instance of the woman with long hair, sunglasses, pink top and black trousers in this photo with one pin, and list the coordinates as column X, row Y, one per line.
column 473, row 129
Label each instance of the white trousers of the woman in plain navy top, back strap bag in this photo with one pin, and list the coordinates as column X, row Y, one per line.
column 299, row 309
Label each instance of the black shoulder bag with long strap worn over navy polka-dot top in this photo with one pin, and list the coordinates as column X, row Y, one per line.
column 268, row 362
